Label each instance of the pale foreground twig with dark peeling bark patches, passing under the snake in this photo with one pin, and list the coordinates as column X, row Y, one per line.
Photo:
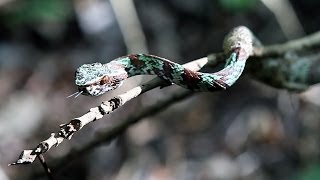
column 106, row 107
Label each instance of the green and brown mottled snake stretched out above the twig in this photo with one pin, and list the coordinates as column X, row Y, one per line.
column 97, row 78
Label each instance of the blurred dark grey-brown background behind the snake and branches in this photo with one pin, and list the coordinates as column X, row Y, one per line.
column 251, row 131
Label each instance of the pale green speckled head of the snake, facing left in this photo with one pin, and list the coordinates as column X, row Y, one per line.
column 95, row 79
